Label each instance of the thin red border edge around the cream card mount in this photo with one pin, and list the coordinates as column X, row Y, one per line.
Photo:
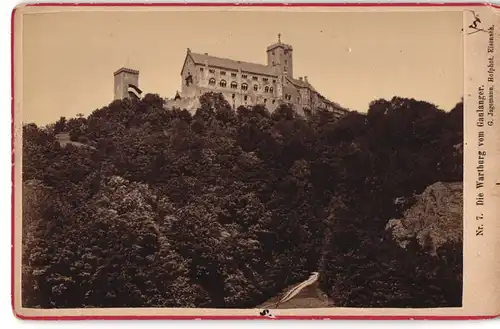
column 180, row 317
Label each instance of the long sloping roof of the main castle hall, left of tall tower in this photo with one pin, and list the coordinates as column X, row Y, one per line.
column 231, row 64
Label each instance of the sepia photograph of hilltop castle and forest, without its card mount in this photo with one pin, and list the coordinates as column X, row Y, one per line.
column 242, row 159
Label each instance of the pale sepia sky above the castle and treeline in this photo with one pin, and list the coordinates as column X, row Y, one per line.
column 351, row 58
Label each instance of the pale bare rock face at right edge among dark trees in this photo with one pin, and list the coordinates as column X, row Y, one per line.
column 435, row 219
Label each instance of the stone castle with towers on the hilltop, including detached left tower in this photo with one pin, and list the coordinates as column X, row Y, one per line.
column 241, row 83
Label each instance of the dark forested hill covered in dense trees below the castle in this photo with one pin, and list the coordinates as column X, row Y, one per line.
column 226, row 208
